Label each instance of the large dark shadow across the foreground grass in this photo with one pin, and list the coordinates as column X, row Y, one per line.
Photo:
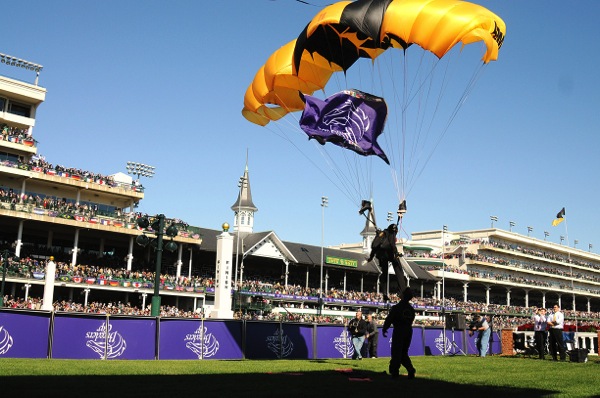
column 331, row 383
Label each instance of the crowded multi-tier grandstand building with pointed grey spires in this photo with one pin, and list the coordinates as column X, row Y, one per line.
column 87, row 222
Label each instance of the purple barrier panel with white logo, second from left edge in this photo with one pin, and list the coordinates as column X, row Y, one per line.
column 101, row 337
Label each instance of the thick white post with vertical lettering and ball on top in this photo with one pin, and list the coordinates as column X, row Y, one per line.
column 222, row 308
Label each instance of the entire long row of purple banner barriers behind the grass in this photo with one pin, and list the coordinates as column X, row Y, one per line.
column 24, row 334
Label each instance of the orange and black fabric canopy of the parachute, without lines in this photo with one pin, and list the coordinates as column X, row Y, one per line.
column 345, row 31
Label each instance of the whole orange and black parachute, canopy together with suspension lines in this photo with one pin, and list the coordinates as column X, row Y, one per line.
column 411, row 42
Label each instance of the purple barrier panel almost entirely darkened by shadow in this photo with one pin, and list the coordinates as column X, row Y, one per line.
column 279, row 340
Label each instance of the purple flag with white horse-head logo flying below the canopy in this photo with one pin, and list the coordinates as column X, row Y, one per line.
column 350, row 119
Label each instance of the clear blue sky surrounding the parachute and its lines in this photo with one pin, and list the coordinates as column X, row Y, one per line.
column 162, row 83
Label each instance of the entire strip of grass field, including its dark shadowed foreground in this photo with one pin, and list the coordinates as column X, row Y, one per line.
column 457, row 376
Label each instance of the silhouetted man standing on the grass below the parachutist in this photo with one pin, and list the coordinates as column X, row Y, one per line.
column 401, row 316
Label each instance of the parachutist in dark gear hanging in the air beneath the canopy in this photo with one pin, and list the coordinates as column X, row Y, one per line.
column 385, row 250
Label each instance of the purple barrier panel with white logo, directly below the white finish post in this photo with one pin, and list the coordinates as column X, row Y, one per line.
column 194, row 339
